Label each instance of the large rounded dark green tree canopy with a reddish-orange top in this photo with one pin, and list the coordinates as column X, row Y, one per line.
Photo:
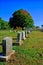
column 21, row 18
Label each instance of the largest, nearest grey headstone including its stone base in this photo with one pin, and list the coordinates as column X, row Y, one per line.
column 7, row 49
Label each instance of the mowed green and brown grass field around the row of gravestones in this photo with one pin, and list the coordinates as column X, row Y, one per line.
column 30, row 53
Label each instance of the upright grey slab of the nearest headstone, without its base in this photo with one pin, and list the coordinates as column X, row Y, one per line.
column 7, row 46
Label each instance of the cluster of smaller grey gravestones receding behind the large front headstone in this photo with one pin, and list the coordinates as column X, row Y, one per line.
column 22, row 36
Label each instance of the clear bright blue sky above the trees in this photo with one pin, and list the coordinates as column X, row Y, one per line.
column 34, row 7
